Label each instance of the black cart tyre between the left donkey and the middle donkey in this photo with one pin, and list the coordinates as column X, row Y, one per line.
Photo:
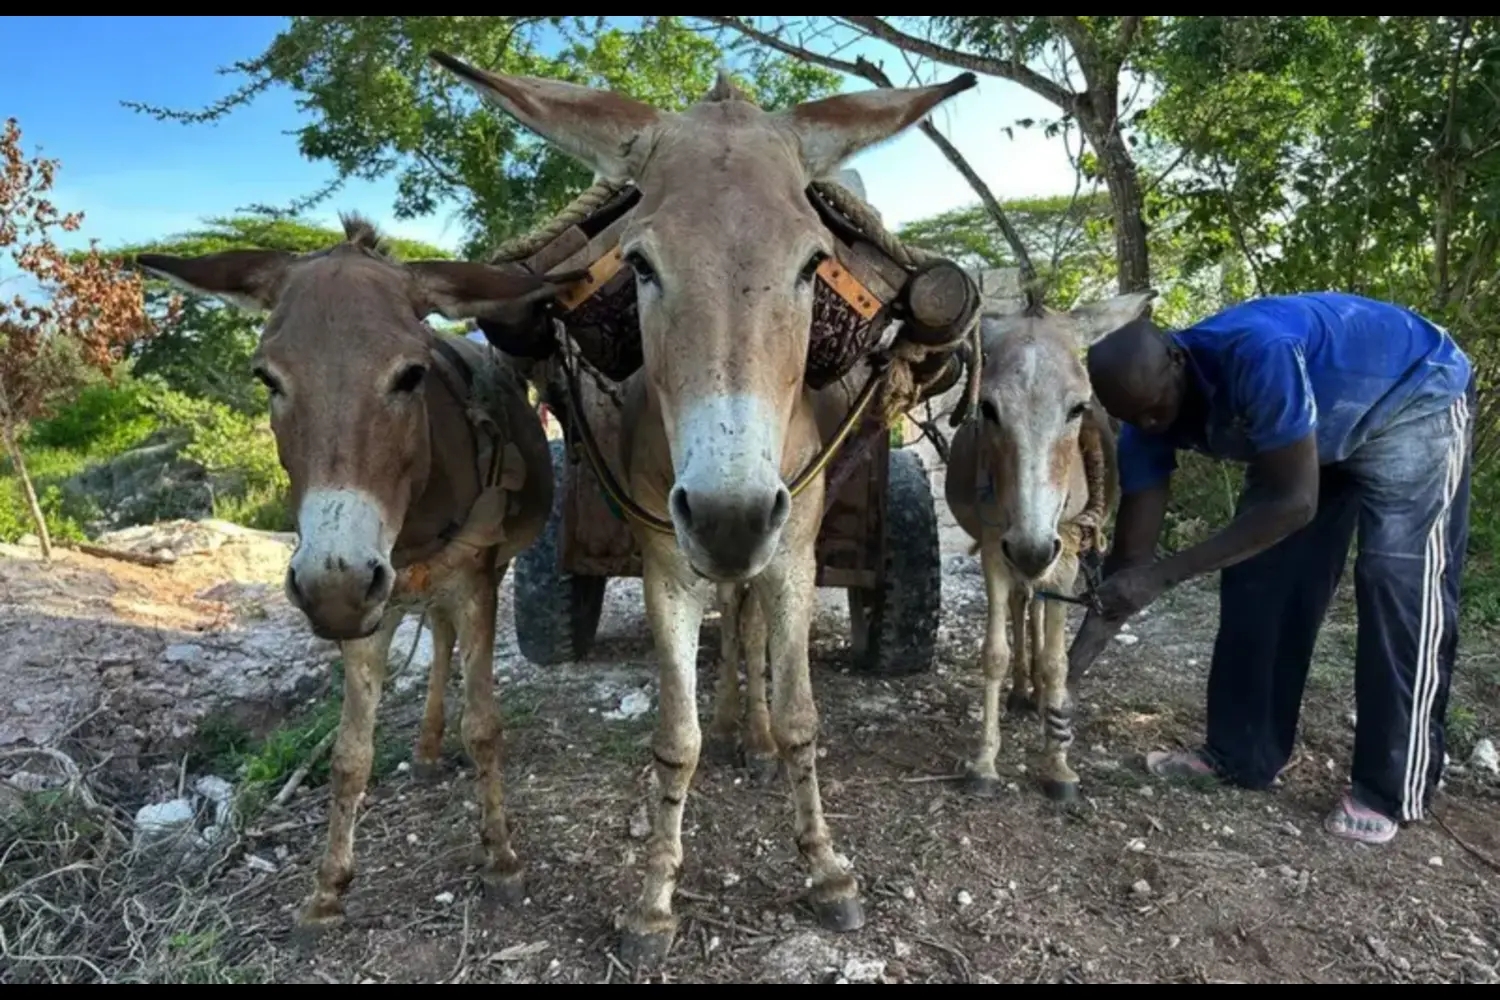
column 556, row 614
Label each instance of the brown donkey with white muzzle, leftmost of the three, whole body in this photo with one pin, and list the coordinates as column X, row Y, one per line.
column 418, row 473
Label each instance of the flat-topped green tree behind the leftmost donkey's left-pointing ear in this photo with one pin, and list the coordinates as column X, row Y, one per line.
column 203, row 347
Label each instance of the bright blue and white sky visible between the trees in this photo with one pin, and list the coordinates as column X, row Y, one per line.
column 137, row 179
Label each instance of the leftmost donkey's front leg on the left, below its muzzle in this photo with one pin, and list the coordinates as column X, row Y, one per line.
column 349, row 774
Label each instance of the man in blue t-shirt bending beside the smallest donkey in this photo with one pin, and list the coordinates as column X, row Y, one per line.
column 1349, row 413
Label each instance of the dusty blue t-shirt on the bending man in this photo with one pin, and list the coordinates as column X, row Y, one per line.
column 1276, row 370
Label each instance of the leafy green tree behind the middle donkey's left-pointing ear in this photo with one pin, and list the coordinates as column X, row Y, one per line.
column 382, row 107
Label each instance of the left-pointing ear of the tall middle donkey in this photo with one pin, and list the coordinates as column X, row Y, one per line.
column 602, row 130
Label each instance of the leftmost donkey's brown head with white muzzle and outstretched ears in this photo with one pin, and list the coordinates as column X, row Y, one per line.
column 346, row 356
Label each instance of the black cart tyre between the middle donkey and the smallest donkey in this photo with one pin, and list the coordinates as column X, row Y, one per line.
column 895, row 630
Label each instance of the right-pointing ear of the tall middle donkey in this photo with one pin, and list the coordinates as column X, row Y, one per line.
column 835, row 130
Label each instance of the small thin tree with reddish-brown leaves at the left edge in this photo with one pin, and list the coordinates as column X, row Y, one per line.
column 94, row 308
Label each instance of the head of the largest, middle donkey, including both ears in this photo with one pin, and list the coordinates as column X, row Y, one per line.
column 725, row 247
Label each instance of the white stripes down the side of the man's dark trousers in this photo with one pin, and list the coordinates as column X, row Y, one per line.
column 1430, row 635
